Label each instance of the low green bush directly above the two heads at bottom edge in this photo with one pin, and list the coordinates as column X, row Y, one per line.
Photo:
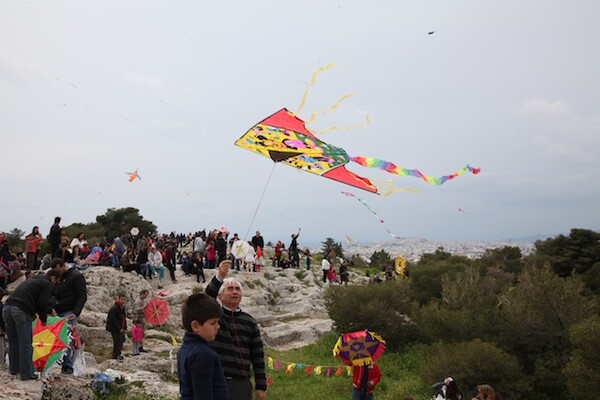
column 473, row 363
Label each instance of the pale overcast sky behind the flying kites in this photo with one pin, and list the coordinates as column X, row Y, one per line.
column 90, row 90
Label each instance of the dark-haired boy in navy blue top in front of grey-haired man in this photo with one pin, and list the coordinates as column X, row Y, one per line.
column 199, row 369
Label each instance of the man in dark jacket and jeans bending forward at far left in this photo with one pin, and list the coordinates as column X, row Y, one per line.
column 31, row 297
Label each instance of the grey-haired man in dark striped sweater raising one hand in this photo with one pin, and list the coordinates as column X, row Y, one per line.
column 238, row 342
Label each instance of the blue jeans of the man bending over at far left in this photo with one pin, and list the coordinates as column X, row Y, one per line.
column 20, row 347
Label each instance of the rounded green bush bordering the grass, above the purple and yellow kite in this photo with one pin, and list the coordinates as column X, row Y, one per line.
column 382, row 308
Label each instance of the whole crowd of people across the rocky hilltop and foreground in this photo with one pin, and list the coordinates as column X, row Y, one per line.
column 222, row 354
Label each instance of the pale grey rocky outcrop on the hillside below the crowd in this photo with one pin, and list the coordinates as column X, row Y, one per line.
column 287, row 304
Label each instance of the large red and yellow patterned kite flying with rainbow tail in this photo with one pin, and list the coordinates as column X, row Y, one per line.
column 283, row 137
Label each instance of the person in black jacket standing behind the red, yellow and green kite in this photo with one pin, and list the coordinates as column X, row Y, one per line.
column 68, row 298
